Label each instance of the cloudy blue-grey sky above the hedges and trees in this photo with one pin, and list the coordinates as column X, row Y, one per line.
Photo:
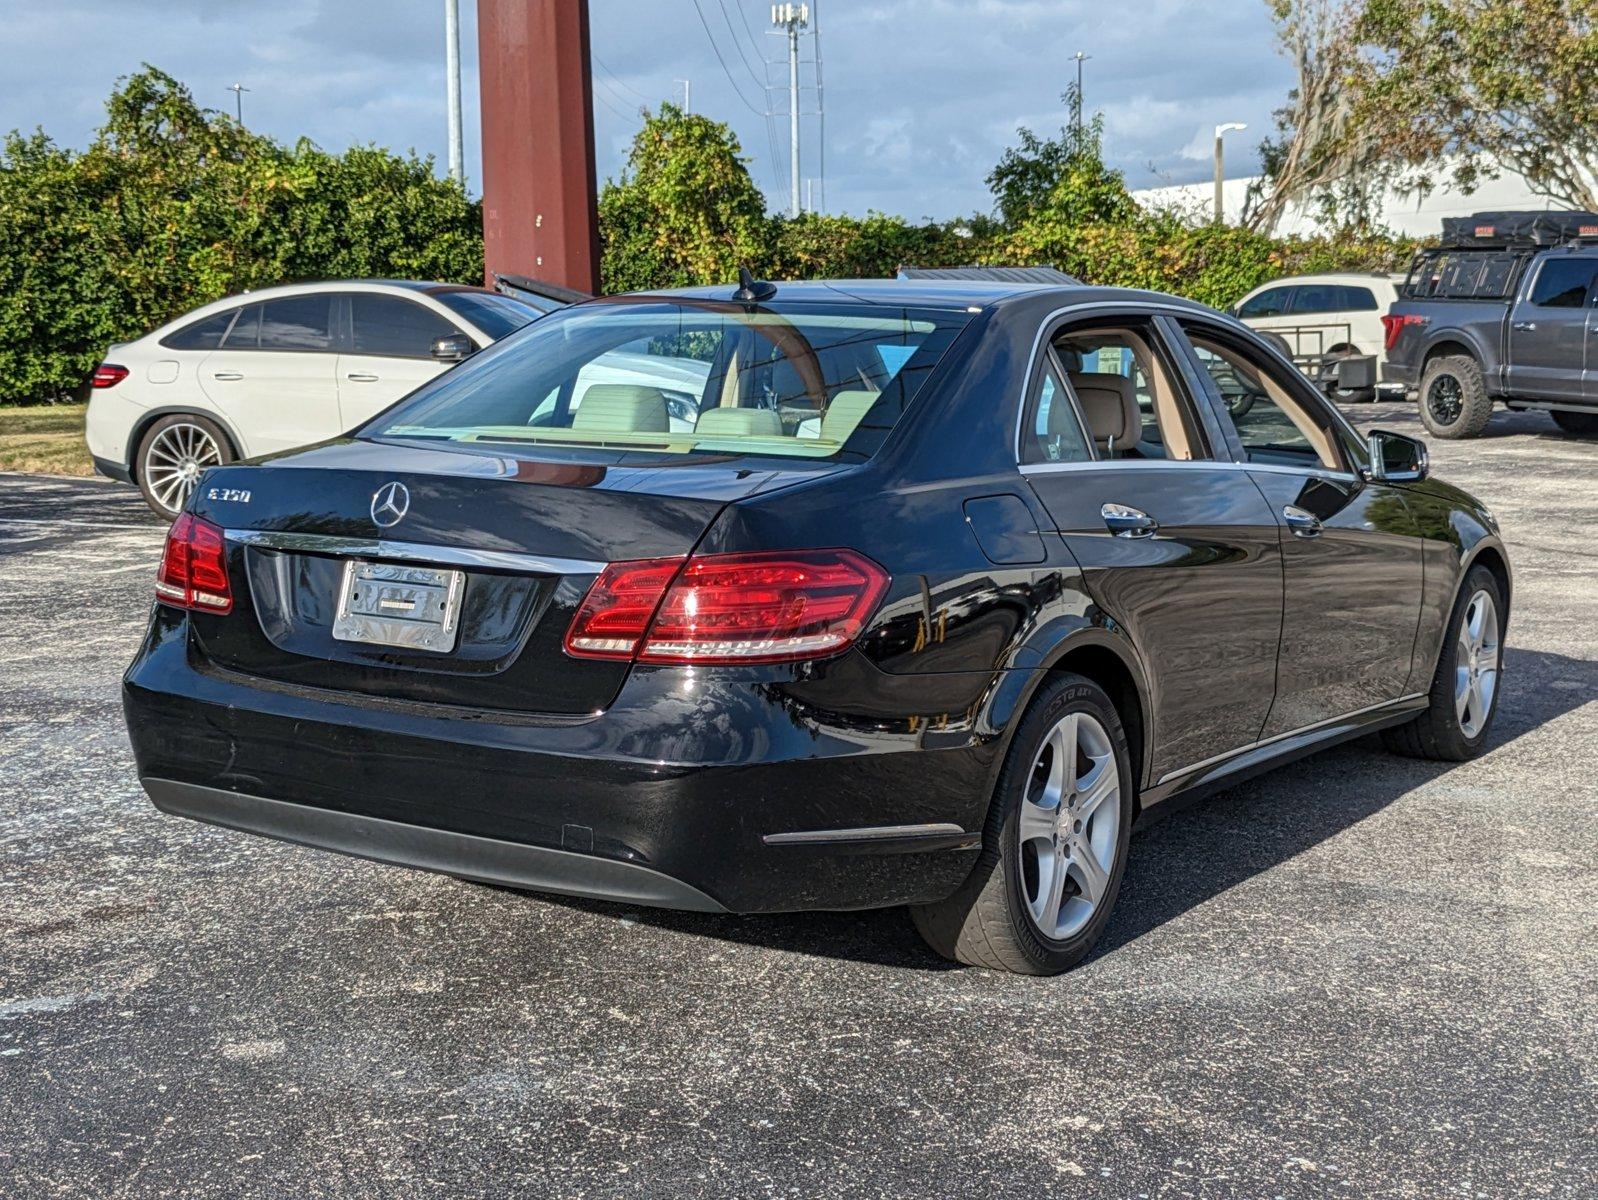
column 921, row 95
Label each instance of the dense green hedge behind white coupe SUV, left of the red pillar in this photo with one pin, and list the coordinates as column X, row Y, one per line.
column 172, row 207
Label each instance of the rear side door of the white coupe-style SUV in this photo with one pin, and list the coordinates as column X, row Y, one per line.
column 274, row 373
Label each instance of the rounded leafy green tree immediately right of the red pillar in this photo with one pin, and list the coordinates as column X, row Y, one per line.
column 685, row 212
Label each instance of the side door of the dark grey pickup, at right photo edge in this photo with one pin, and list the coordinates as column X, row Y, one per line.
column 1548, row 330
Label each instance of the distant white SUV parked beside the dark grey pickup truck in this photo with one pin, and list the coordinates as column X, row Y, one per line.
column 1326, row 317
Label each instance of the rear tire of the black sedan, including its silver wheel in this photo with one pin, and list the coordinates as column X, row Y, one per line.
column 1008, row 916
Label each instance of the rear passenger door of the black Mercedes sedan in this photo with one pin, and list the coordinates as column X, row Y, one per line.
column 1177, row 547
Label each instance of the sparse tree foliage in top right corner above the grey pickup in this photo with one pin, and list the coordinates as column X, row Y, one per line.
column 1484, row 85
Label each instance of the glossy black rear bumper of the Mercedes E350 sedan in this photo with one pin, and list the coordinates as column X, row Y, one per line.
column 691, row 792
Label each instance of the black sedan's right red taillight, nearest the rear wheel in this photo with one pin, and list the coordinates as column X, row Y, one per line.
column 760, row 608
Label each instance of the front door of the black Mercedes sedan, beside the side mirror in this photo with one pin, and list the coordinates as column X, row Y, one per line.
column 1351, row 549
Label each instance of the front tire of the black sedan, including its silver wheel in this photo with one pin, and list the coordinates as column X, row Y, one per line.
column 1468, row 683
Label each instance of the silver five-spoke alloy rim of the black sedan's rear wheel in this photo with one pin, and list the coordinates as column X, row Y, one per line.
column 1070, row 827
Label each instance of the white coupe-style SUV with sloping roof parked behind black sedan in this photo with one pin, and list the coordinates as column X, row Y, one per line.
column 276, row 370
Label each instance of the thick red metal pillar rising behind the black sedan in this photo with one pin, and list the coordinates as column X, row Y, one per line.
column 539, row 196
